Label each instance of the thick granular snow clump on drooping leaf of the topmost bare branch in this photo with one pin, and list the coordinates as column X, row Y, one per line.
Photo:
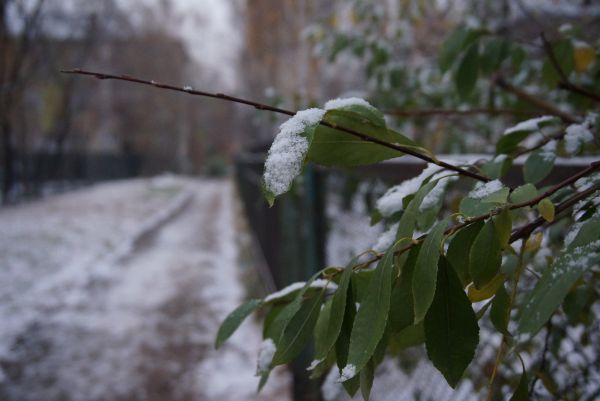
column 288, row 150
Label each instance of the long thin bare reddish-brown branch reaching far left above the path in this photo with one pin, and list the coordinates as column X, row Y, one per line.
column 368, row 138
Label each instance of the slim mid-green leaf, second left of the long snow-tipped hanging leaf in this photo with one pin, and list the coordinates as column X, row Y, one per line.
column 338, row 306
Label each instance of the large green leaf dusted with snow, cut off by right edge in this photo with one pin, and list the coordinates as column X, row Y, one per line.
column 554, row 285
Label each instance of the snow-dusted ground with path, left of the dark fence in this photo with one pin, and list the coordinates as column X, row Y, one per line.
column 115, row 293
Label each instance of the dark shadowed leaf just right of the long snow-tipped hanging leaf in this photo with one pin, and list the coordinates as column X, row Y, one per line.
column 402, row 307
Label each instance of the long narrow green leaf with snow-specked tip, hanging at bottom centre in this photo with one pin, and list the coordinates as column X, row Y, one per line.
column 371, row 318
